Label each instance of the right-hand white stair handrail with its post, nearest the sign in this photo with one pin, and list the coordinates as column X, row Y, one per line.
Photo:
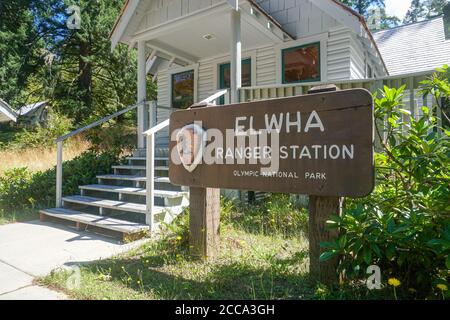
column 150, row 164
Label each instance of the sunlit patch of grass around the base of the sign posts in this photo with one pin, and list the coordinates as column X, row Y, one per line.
column 254, row 263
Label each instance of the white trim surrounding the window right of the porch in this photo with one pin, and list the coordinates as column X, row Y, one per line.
column 321, row 38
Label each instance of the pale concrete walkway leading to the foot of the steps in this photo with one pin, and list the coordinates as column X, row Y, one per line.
column 34, row 249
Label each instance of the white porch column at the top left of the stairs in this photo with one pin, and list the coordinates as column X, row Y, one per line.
column 142, row 114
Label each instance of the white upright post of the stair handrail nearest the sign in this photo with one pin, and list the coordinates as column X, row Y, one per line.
column 150, row 183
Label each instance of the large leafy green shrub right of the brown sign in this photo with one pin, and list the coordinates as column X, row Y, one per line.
column 403, row 227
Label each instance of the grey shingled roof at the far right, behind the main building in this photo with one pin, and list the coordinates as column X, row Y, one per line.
column 414, row 47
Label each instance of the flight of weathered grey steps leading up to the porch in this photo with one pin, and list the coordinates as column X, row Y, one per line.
column 117, row 203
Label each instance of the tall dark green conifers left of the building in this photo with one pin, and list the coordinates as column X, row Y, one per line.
column 74, row 69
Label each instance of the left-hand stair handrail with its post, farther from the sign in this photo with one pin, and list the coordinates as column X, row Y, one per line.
column 60, row 146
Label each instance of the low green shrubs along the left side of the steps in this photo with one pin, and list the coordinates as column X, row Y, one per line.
column 21, row 189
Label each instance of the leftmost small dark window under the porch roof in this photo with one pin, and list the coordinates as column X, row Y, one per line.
column 183, row 89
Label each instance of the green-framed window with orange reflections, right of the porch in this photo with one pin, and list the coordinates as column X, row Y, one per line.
column 301, row 64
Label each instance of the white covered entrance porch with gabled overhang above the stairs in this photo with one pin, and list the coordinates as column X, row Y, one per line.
column 175, row 49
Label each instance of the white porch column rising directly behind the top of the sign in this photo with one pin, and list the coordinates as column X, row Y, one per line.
column 235, row 72
